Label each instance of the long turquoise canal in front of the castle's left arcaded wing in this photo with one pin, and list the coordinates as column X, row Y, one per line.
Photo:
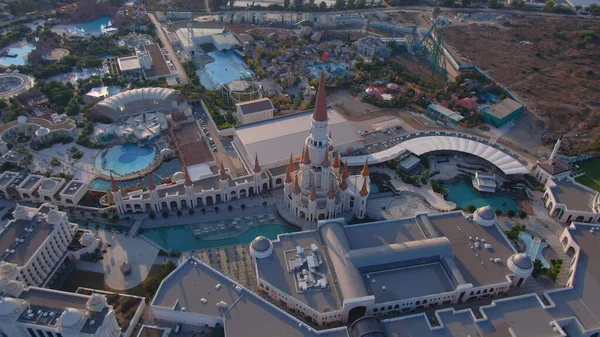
column 181, row 238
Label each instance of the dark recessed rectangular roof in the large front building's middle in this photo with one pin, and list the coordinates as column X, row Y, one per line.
column 422, row 280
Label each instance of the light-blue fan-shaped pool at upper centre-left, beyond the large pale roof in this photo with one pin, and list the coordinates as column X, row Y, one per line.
column 226, row 67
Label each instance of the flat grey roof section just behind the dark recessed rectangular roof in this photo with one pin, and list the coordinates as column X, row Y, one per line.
column 383, row 233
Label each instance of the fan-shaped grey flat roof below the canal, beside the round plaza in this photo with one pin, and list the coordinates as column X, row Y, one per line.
column 188, row 284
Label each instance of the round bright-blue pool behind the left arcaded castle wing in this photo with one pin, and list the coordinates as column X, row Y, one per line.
column 126, row 159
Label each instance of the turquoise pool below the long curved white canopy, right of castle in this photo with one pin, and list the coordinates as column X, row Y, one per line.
column 463, row 195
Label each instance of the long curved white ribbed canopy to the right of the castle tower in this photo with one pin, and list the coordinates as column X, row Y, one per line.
column 423, row 142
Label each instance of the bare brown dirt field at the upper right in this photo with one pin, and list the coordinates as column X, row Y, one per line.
column 558, row 75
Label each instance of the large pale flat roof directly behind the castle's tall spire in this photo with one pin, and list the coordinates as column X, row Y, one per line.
column 275, row 138
